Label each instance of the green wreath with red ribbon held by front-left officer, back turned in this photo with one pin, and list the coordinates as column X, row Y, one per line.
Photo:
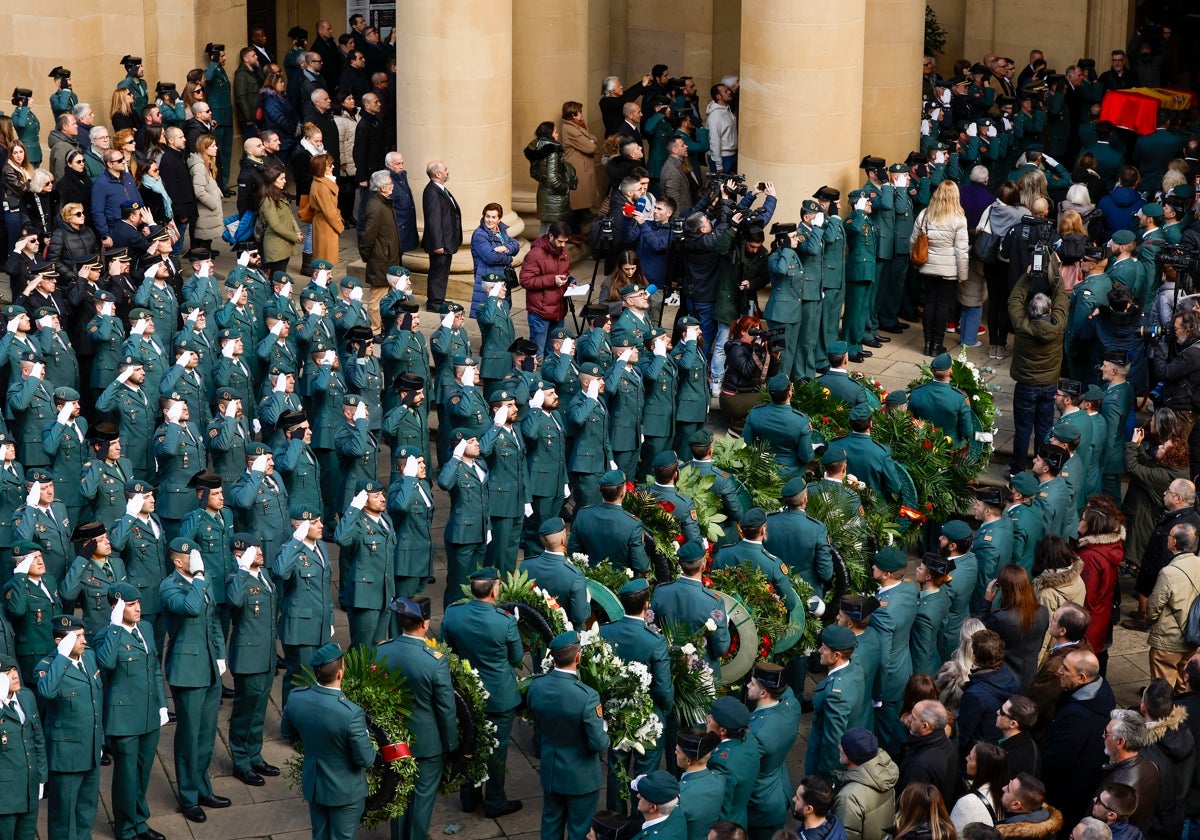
column 388, row 704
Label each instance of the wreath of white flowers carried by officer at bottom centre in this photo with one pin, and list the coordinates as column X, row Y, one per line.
column 625, row 691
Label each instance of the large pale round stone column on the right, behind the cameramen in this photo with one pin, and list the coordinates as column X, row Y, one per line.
column 802, row 79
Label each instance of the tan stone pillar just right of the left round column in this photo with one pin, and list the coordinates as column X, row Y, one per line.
column 550, row 67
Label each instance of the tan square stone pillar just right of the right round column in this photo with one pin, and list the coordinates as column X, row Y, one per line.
column 895, row 43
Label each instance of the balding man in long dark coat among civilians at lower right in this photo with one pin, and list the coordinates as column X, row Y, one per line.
column 1073, row 753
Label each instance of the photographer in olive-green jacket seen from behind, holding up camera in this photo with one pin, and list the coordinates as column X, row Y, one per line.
column 1040, row 323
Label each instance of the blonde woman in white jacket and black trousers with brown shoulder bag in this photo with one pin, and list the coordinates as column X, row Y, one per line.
column 946, row 226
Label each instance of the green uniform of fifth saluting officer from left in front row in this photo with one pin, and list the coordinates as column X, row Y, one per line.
column 254, row 603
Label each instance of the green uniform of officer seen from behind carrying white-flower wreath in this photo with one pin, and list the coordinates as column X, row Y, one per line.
column 571, row 719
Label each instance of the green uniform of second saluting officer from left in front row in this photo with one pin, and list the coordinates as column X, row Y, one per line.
column 74, row 697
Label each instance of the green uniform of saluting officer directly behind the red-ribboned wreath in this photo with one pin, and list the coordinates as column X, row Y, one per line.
column 369, row 544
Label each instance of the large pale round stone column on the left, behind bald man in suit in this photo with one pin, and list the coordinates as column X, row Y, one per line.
column 454, row 83
